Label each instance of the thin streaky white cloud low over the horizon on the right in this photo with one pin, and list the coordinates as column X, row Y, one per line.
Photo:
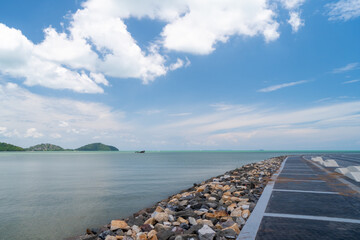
column 332, row 125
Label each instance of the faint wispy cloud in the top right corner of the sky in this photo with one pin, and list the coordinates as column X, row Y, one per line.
column 344, row 10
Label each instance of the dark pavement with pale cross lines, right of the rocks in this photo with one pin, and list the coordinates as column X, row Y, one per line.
column 307, row 201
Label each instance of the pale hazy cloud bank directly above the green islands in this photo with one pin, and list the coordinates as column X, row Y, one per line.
column 27, row 115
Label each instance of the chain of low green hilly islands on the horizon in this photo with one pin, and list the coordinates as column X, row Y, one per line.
column 45, row 147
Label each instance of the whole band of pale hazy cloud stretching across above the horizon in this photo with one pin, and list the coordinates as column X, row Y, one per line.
column 29, row 119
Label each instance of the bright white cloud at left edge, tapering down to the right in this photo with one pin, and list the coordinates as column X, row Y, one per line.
column 18, row 58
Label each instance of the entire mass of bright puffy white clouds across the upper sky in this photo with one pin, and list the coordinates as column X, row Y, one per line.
column 97, row 43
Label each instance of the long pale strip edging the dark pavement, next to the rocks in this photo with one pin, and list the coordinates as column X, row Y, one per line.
column 252, row 225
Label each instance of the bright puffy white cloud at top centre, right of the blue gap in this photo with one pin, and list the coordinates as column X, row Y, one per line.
column 206, row 23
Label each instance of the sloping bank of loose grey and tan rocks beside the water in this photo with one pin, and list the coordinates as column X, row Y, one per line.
column 214, row 209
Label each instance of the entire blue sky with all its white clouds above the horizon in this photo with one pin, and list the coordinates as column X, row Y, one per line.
column 181, row 75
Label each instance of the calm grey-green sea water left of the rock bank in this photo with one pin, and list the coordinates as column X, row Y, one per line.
column 46, row 196
